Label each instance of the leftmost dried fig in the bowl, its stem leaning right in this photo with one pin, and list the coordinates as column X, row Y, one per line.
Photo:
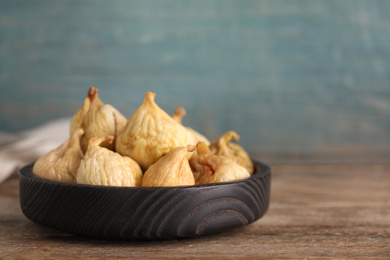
column 61, row 164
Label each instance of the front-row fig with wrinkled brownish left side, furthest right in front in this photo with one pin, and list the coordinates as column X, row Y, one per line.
column 211, row 168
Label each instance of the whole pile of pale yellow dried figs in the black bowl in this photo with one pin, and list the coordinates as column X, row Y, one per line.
column 149, row 149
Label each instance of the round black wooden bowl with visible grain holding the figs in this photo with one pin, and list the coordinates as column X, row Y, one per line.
column 141, row 212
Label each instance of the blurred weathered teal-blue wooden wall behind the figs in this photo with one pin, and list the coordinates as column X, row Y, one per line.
column 298, row 80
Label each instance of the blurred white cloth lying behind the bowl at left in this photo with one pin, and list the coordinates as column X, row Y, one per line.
column 25, row 147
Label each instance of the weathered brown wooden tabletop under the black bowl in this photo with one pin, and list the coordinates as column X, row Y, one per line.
column 316, row 211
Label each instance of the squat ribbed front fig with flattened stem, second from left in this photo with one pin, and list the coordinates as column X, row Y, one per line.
column 102, row 166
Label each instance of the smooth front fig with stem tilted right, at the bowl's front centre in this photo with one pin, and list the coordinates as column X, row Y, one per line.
column 173, row 169
